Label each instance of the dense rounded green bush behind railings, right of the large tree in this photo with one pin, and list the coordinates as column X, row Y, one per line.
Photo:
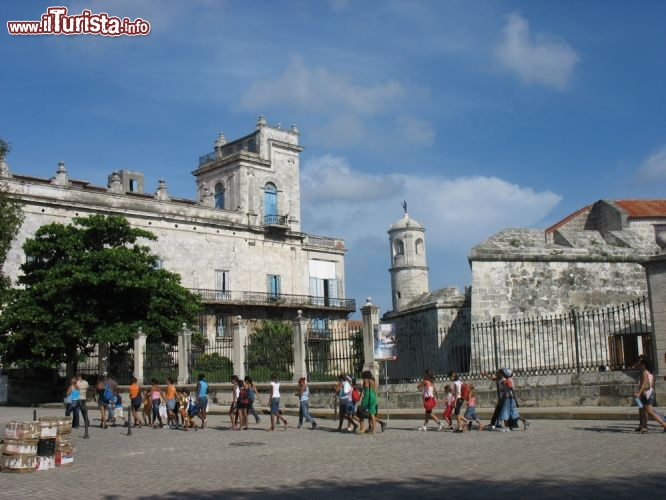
column 271, row 350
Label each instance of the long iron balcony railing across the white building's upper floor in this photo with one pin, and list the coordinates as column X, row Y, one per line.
column 274, row 300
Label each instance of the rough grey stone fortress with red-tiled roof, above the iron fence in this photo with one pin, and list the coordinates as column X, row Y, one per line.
column 590, row 259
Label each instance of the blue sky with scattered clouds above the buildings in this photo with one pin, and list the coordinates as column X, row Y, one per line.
column 482, row 115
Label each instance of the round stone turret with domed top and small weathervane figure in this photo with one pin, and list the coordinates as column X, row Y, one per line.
column 409, row 270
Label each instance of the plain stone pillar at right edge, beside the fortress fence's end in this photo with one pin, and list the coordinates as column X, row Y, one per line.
column 655, row 270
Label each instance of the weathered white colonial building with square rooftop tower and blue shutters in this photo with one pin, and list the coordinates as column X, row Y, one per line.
column 238, row 244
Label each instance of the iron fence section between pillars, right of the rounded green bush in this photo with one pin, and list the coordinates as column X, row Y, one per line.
column 331, row 352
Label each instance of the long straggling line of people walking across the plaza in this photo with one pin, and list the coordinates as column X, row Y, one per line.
column 358, row 404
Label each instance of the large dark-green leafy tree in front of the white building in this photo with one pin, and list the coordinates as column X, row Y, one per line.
column 86, row 283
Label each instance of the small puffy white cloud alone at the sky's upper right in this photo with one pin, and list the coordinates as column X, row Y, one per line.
column 540, row 59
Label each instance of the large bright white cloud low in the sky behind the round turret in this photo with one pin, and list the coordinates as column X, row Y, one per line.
column 461, row 211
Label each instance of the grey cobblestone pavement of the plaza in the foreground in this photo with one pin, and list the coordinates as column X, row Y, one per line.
column 552, row 459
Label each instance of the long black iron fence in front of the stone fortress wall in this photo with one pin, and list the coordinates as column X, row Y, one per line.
column 606, row 339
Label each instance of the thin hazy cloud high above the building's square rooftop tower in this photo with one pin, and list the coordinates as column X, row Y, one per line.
column 318, row 89
